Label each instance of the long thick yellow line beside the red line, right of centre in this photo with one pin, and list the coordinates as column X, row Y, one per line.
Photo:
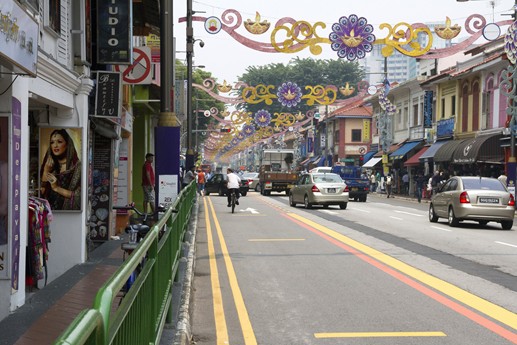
column 494, row 311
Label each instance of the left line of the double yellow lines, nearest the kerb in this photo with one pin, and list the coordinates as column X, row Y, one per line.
column 220, row 320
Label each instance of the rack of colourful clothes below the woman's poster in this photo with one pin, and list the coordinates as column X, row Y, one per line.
column 40, row 216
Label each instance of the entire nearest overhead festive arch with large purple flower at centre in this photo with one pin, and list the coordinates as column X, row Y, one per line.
column 351, row 36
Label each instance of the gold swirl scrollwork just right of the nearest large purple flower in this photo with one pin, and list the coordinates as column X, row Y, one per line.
column 402, row 35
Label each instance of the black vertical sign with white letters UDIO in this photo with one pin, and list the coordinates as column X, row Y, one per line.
column 114, row 32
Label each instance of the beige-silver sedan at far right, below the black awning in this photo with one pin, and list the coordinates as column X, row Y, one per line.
column 482, row 199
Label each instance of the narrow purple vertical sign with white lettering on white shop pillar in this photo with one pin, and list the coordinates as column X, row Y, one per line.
column 15, row 191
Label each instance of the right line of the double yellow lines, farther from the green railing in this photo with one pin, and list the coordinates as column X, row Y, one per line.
column 247, row 329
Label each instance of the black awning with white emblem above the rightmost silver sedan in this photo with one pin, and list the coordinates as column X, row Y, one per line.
column 485, row 148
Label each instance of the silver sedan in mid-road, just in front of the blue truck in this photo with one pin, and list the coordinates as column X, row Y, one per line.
column 319, row 189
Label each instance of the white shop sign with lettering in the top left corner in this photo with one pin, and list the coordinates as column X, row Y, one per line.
column 19, row 37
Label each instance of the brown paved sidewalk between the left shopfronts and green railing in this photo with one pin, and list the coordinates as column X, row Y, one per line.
column 50, row 310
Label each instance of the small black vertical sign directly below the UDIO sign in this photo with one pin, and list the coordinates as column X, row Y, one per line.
column 108, row 94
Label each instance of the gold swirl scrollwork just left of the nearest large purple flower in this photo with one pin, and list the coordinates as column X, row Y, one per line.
column 298, row 37
